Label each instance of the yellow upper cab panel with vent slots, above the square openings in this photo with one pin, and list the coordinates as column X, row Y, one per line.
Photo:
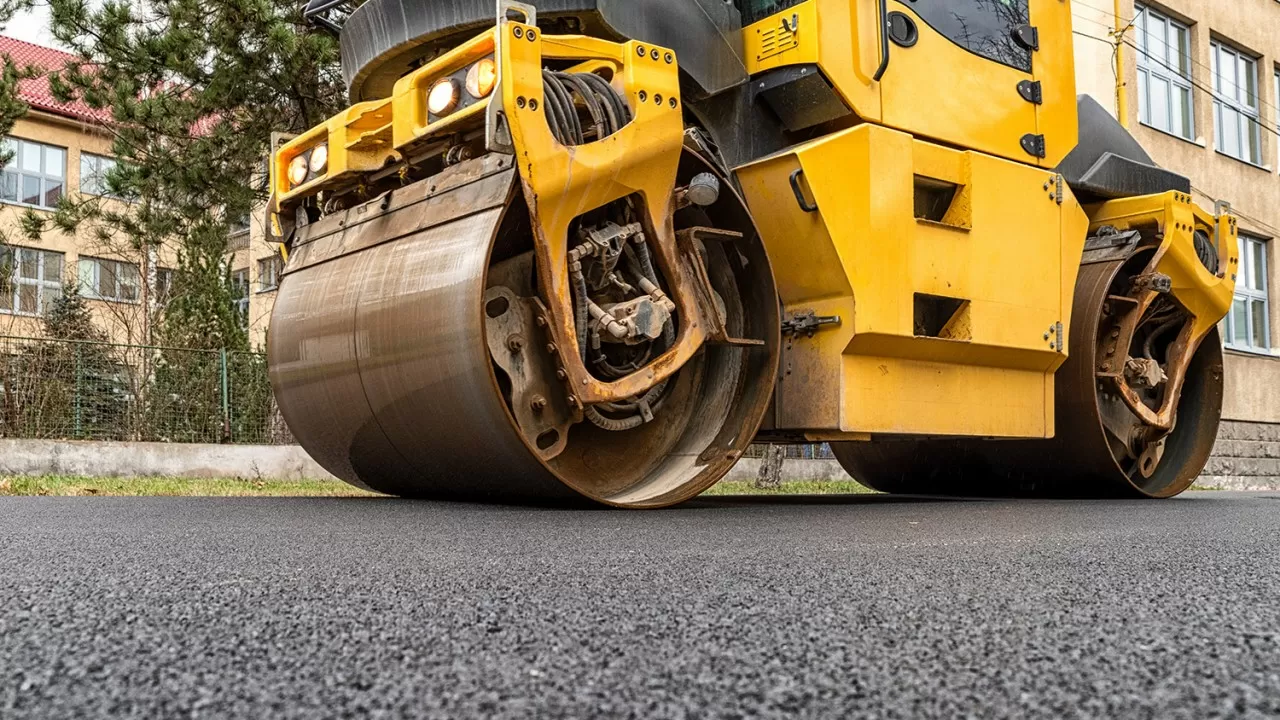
column 935, row 89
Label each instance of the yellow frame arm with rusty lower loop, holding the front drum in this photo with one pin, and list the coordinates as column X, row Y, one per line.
column 561, row 184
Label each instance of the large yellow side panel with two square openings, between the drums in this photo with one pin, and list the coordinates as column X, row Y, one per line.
column 1005, row 253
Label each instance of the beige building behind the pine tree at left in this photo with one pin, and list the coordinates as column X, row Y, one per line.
column 66, row 148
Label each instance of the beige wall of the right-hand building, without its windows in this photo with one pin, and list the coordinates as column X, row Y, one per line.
column 1254, row 29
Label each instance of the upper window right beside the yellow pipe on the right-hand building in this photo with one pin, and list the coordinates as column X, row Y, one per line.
column 1164, row 74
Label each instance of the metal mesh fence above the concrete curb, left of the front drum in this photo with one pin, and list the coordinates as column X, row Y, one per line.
column 70, row 390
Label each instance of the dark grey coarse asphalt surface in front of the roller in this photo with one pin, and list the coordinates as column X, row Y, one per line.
column 725, row 608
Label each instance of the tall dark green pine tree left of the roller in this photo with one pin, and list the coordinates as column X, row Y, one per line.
column 196, row 89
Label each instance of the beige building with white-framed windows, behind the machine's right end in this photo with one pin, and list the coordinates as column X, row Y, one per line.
column 1199, row 86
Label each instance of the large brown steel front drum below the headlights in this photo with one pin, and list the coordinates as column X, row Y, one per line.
column 408, row 359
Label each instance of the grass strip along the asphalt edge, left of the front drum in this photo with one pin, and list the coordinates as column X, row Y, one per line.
column 62, row 486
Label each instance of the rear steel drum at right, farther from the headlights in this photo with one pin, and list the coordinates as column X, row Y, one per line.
column 1099, row 449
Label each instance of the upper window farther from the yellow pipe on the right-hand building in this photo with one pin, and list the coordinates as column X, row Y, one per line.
column 1236, row 104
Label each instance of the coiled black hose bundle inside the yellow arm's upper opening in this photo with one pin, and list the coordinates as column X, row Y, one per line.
column 607, row 110
